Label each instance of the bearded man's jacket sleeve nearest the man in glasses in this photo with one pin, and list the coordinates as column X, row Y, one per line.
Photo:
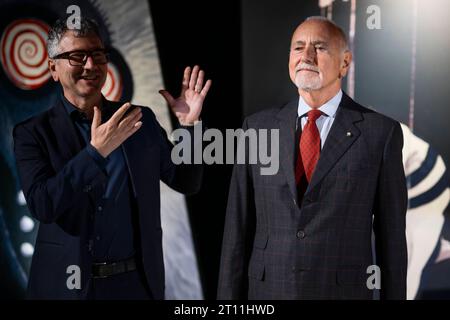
column 238, row 233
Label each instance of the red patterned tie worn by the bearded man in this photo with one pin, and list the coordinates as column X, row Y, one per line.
column 309, row 147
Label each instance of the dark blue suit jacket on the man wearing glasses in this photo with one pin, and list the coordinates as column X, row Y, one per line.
column 61, row 183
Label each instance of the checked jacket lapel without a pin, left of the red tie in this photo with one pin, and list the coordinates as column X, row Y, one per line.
column 287, row 118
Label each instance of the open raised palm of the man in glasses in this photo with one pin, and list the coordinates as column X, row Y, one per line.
column 188, row 106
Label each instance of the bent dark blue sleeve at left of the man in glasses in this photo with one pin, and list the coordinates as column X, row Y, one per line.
column 51, row 195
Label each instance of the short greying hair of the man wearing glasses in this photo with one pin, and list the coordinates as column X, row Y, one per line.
column 87, row 27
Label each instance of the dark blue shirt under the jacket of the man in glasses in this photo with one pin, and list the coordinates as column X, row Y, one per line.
column 114, row 221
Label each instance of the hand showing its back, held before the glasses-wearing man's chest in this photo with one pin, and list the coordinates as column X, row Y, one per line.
column 106, row 137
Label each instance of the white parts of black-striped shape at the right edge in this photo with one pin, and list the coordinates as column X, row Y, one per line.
column 423, row 223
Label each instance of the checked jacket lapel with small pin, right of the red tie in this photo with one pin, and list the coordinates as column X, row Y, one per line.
column 342, row 135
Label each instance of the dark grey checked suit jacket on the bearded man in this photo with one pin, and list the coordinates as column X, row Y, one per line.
column 276, row 247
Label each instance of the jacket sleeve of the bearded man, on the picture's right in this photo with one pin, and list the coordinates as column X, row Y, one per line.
column 389, row 219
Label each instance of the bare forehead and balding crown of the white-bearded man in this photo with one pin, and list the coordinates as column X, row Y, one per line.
column 316, row 31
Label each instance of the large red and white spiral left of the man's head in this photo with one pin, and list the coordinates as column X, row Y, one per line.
column 23, row 53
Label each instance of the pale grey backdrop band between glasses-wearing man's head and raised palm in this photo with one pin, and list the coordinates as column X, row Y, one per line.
column 132, row 35
